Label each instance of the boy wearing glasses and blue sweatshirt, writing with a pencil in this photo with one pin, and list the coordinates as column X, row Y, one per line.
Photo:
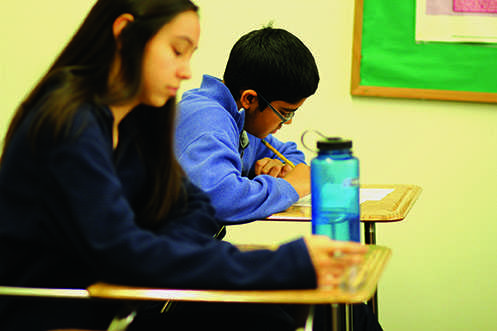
column 269, row 75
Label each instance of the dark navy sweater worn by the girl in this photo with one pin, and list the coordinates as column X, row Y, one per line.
column 67, row 220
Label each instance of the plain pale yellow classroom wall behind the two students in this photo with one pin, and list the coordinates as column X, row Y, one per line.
column 442, row 272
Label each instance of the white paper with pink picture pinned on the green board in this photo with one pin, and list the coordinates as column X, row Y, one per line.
column 456, row 21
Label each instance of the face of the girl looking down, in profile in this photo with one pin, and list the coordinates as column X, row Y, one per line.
column 166, row 60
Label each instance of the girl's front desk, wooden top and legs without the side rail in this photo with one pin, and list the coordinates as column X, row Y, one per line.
column 357, row 286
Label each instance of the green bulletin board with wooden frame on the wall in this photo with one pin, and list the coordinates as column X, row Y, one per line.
column 388, row 62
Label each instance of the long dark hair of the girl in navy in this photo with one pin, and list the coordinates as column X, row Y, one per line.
column 80, row 74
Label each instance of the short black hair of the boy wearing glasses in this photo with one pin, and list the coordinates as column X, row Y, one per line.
column 272, row 62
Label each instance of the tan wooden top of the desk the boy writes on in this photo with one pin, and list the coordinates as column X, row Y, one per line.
column 392, row 208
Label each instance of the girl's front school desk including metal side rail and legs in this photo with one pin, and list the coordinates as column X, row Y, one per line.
column 357, row 285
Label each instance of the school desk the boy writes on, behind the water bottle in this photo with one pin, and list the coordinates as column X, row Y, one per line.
column 384, row 203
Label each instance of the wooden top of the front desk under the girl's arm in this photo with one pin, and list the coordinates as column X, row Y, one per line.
column 365, row 285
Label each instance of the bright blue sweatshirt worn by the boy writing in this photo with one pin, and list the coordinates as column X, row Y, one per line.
column 208, row 147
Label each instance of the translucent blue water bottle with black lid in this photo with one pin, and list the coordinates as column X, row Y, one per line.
column 335, row 191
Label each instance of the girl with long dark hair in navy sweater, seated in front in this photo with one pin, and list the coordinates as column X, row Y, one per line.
column 90, row 189
